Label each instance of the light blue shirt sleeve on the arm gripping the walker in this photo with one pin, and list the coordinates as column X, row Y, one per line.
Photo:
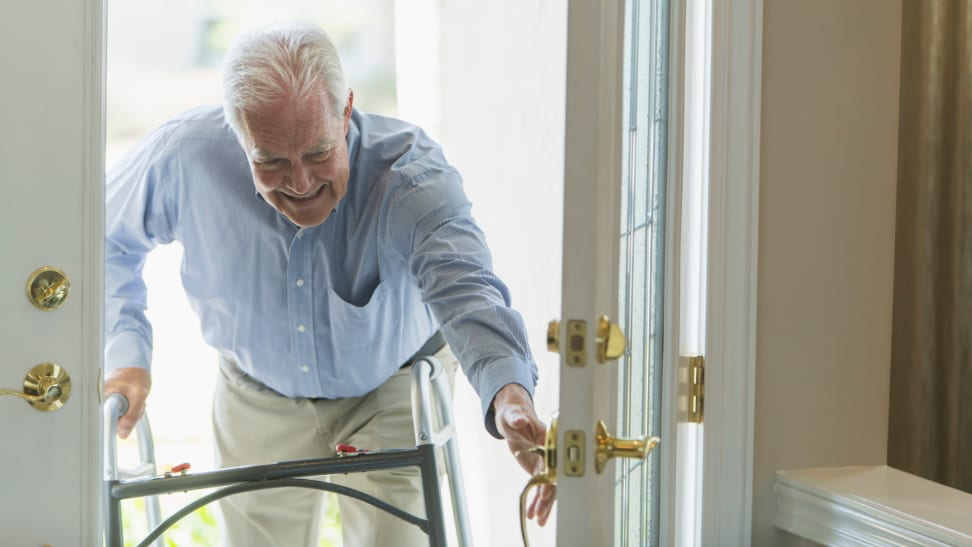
column 137, row 218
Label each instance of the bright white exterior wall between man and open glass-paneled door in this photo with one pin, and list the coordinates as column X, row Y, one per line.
column 499, row 114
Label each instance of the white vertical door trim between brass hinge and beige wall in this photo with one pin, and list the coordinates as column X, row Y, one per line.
column 735, row 106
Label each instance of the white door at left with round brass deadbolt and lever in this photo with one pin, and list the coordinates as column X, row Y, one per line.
column 51, row 169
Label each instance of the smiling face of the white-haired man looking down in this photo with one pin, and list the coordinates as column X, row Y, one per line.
column 298, row 155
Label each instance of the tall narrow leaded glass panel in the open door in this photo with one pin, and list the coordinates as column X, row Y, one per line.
column 645, row 126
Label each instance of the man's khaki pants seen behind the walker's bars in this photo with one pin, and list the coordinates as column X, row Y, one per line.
column 255, row 425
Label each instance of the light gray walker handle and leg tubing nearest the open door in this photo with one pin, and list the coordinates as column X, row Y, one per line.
column 426, row 370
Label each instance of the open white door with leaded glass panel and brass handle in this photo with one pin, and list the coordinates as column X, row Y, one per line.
column 615, row 182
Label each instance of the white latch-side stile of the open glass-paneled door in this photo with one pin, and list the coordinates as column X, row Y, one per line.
column 590, row 259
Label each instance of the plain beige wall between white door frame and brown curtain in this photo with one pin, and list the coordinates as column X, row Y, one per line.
column 827, row 197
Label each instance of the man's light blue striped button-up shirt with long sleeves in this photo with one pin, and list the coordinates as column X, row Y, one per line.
column 330, row 311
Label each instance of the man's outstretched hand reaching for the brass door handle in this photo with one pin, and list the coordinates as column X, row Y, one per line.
column 517, row 421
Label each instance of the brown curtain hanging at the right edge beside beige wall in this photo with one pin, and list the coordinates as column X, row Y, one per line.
column 930, row 429
